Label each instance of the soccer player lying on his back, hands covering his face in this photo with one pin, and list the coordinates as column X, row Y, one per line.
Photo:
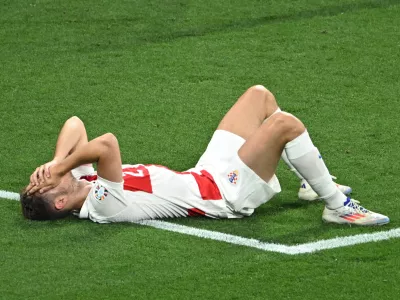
column 234, row 176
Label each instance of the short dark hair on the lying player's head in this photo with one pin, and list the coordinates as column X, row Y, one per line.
column 40, row 207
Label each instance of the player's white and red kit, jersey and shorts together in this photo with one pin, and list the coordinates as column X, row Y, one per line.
column 220, row 186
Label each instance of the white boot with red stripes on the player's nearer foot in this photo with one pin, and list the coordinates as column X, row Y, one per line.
column 353, row 213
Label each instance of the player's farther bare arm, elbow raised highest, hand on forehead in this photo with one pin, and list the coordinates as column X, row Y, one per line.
column 71, row 137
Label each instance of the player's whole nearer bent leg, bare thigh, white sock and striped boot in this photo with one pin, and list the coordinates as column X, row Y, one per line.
column 282, row 131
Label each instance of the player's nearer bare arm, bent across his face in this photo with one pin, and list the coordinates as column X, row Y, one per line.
column 104, row 151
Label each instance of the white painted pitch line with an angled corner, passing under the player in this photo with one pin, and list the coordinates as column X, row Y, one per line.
column 238, row 240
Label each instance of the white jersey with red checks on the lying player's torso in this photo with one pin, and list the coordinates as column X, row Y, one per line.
column 152, row 192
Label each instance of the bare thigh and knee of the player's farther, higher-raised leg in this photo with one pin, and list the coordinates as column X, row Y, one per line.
column 249, row 112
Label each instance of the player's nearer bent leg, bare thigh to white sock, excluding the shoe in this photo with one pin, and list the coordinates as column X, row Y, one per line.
column 283, row 131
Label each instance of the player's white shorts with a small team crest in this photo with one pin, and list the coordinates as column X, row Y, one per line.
column 241, row 187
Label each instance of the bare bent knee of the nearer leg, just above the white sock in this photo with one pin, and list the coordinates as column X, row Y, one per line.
column 286, row 125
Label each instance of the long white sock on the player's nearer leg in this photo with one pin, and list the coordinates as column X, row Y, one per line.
column 305, row 158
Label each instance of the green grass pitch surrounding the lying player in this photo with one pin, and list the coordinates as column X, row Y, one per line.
column 160, row 75
